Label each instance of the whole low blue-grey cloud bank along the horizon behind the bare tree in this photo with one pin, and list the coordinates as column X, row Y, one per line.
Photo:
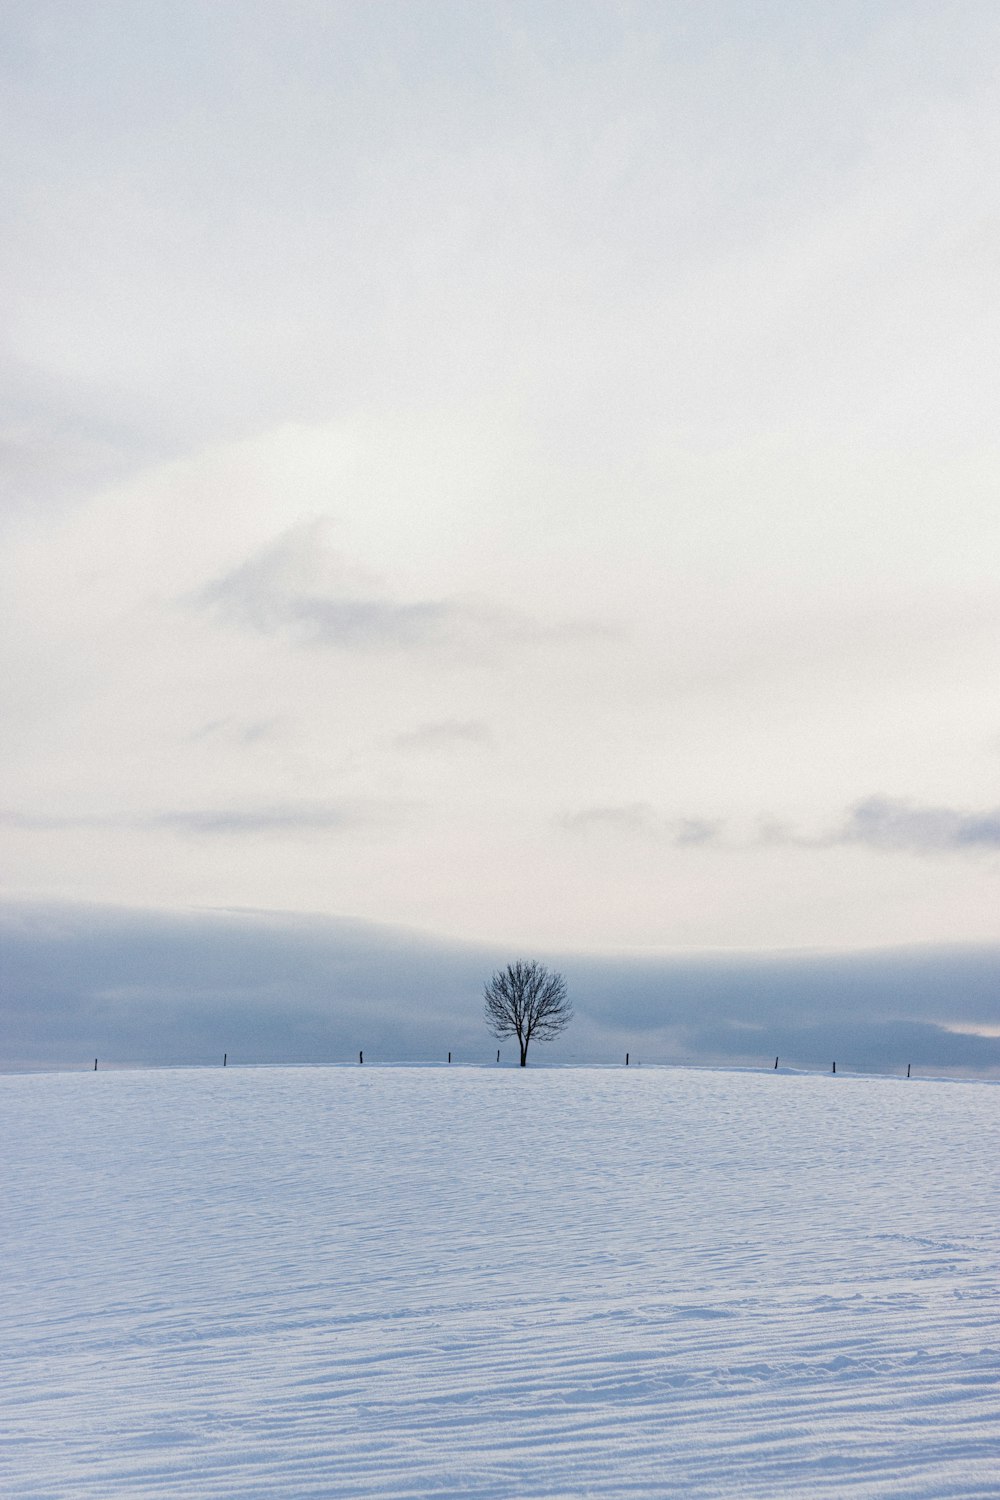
column 151, row 988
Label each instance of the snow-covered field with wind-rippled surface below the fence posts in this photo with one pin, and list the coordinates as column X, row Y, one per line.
column 386, row 1282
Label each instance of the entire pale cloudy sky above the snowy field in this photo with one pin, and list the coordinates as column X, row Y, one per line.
column 503, row 479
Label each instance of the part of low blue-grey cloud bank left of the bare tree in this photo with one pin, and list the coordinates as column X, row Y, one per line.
column 148, row 988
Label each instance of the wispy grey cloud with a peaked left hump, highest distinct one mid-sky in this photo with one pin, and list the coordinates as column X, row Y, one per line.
column 301, row 589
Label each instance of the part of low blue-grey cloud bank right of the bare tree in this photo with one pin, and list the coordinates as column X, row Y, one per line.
column 933, row 1007
